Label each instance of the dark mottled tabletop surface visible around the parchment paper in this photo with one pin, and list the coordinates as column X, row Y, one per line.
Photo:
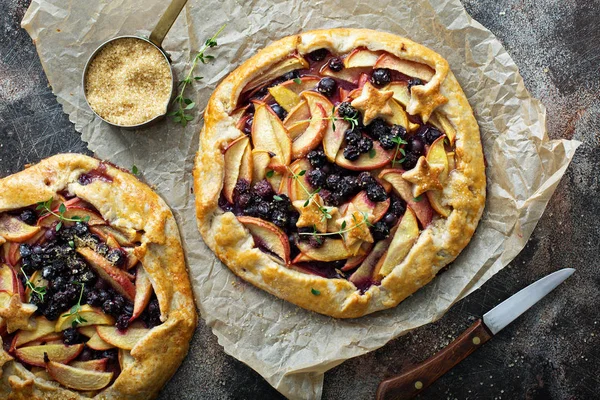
column 552, row 352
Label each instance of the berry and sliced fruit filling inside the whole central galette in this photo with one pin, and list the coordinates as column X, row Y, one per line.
column 330, row 174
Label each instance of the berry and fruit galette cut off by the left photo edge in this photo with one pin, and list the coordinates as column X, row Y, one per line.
column 95, row 298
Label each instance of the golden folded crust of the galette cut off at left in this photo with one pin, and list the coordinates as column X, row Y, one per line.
column 125, row 202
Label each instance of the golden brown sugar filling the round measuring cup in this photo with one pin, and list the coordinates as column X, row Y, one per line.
column 128, row 82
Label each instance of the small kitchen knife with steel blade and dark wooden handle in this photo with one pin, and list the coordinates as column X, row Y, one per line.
column 414, row 381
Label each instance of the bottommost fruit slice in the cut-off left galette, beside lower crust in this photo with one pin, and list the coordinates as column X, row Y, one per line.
column 78, row 378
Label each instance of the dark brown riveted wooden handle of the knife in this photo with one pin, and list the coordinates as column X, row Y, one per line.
column 414, row 381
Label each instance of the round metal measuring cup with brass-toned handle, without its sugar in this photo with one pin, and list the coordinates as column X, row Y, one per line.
column 156, row 38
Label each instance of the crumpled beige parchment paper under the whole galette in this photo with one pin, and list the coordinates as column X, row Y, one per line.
column 290, row 347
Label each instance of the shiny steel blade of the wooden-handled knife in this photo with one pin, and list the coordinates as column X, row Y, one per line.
column 510, row 309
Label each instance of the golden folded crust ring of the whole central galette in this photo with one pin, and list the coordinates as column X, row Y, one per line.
column 439, row 244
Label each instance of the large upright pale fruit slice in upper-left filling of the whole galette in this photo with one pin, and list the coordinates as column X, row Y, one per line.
column 269, row 134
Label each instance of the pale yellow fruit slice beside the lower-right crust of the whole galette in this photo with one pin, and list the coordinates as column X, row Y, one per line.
column 405, row 237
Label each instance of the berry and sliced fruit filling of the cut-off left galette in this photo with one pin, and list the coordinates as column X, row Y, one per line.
column 74, row 298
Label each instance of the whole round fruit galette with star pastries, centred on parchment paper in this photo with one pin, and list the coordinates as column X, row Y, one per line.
column 339, row 170
